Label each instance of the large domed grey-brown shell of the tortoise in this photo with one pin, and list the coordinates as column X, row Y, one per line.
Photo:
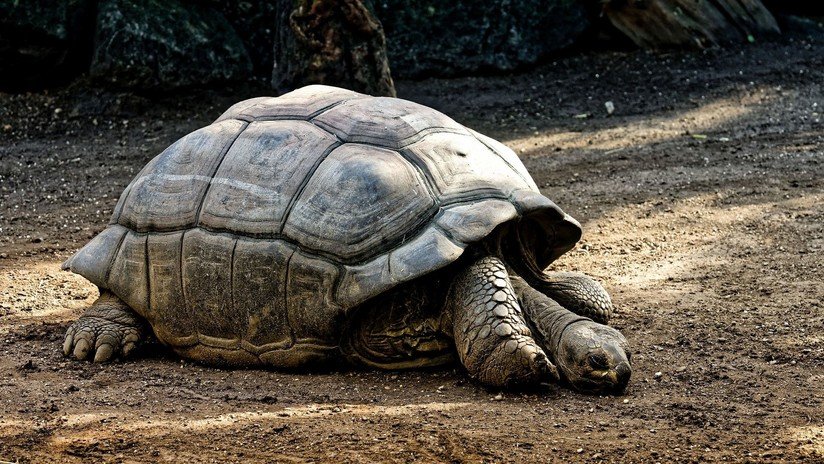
column 260, row 232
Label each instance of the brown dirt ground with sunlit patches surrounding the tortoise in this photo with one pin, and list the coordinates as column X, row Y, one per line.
column 702, row 201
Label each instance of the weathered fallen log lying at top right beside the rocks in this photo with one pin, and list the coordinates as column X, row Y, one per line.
column 690, row 23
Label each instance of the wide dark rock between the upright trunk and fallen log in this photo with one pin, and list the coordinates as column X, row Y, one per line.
column 432, row 38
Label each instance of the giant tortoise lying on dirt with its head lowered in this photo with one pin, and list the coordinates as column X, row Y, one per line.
column 325, row 227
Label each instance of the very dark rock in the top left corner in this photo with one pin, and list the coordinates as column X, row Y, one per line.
column 43, row 43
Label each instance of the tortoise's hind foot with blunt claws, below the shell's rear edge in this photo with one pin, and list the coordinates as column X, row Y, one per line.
column 108, row 328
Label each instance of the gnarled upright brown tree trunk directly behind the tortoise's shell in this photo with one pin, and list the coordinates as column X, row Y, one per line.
column 336, row 42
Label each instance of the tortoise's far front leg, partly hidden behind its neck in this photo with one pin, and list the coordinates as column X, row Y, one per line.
column 578, row 293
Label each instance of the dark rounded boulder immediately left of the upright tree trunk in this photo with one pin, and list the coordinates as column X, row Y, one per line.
column 157, row 44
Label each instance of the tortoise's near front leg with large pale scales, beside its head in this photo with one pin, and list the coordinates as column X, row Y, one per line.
column 492, row 338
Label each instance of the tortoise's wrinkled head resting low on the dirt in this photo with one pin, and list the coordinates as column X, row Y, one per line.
column 594, row 357
